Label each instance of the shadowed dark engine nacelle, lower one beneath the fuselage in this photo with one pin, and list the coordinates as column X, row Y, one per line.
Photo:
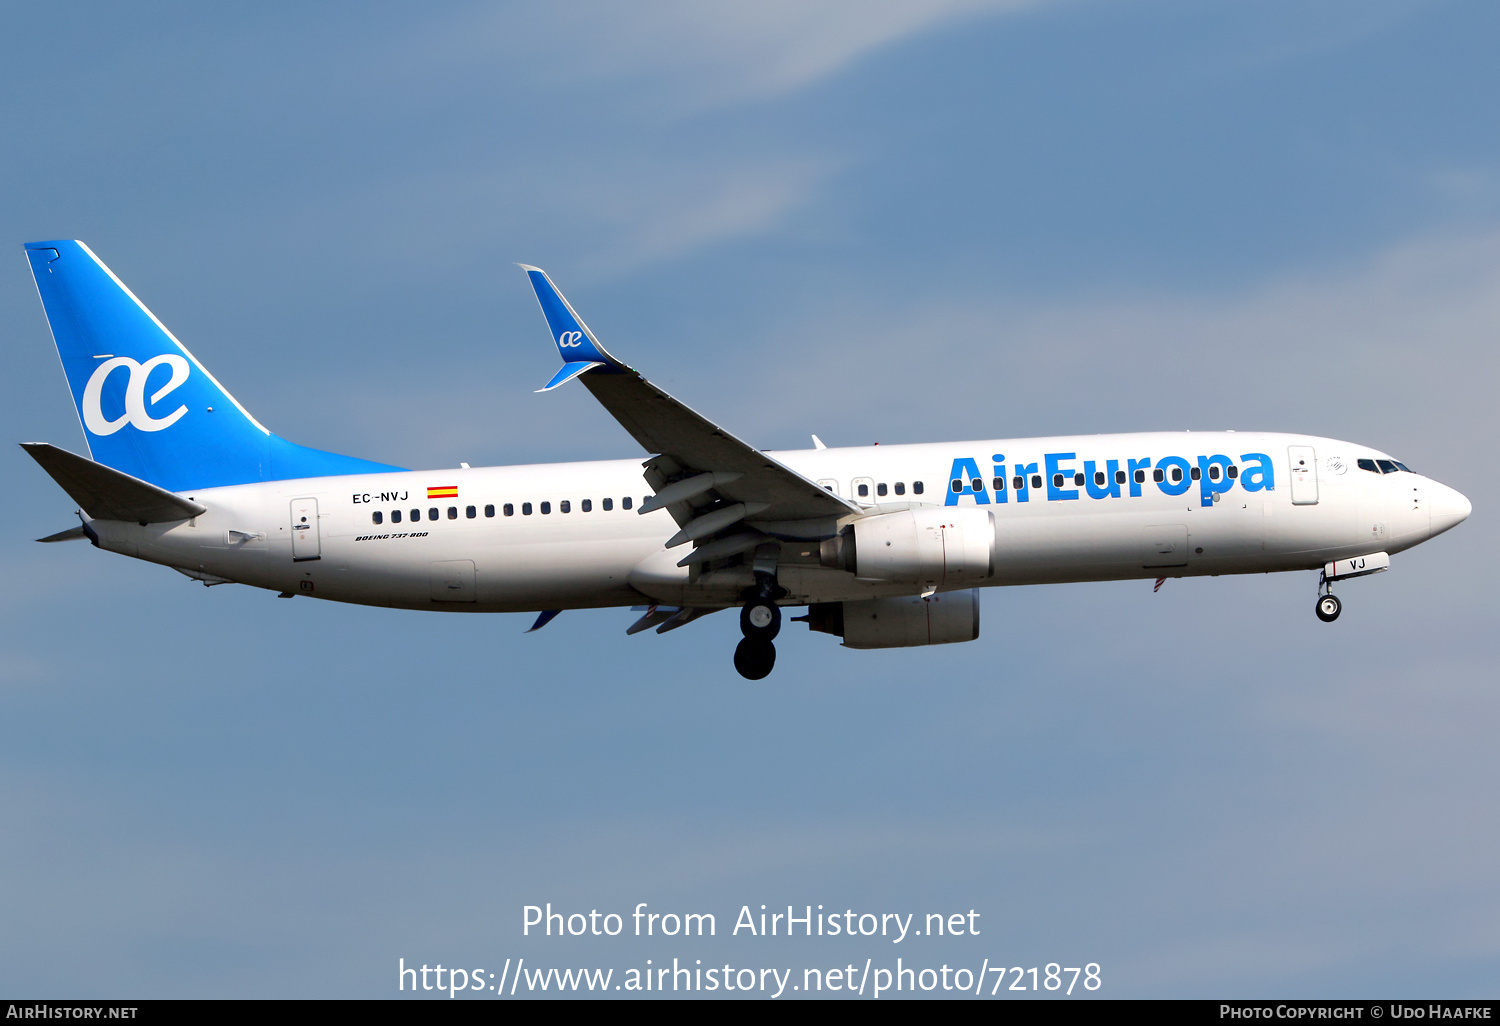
column 901, row 623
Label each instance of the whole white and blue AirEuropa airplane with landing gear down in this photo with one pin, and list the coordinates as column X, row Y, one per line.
column 886, row 547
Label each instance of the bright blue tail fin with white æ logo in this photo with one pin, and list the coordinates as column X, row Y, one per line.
column 148, row 407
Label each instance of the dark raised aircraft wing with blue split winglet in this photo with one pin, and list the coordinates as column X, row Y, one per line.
column 703, row 475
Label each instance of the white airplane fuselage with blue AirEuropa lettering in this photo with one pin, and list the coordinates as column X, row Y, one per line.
column 473, row 557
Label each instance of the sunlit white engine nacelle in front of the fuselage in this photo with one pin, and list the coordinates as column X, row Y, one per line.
column 931, row 548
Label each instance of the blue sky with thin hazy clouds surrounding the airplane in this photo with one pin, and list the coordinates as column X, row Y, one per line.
column 872, row 221
